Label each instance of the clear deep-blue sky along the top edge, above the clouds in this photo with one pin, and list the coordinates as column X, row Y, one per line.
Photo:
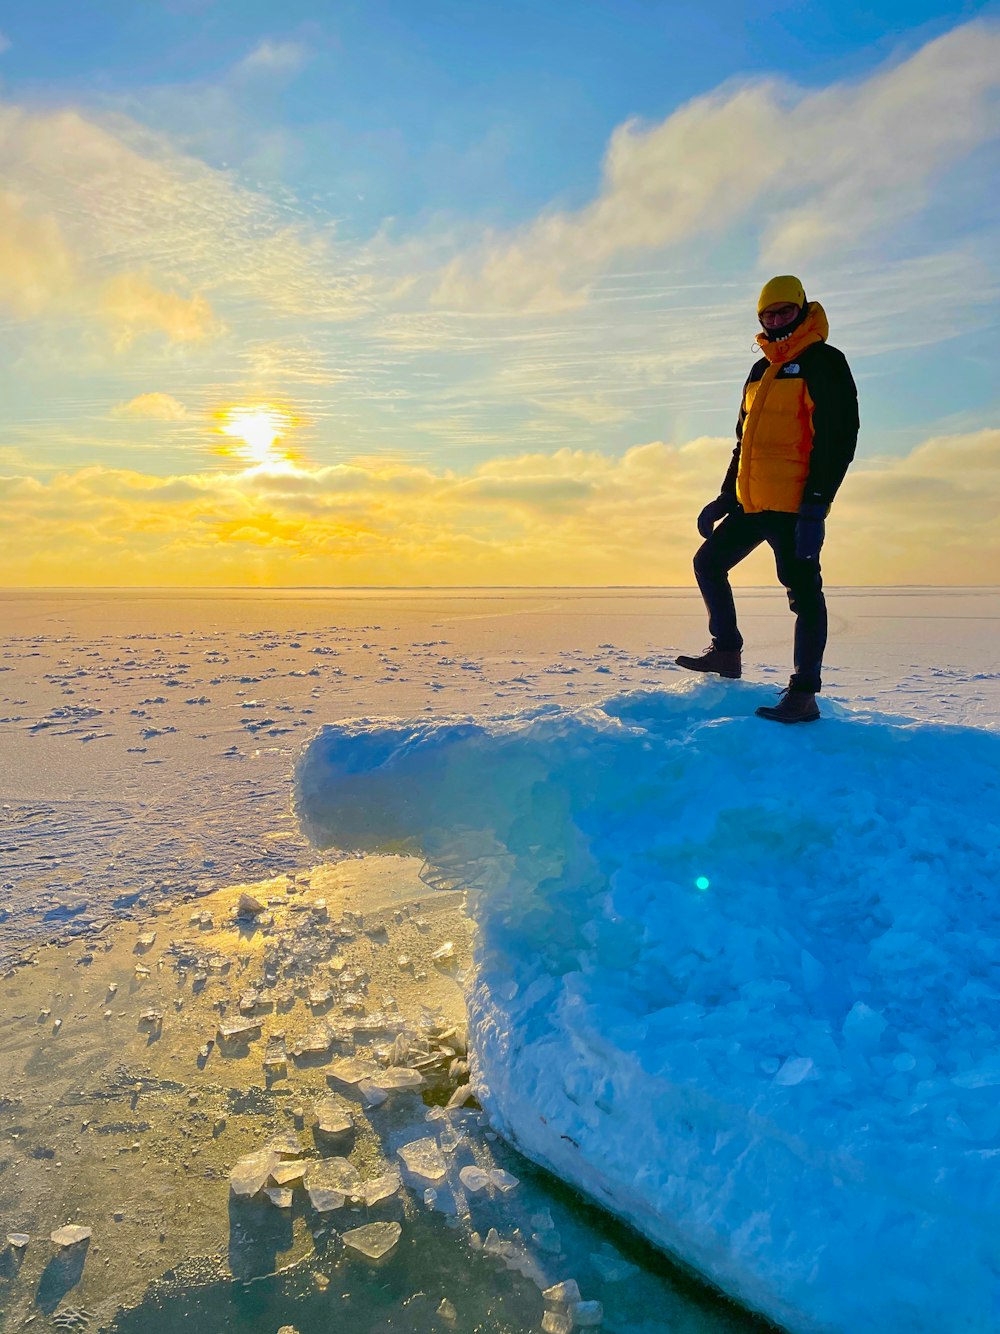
column 390, row 98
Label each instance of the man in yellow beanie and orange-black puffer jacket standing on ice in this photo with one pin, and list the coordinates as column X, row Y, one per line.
column 795, row 440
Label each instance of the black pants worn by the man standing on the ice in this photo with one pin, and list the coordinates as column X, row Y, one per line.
column 733, row 542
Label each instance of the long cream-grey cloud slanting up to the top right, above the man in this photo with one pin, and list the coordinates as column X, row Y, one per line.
column 814, row 174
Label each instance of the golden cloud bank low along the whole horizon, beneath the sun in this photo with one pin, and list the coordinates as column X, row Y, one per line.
column 570, row 517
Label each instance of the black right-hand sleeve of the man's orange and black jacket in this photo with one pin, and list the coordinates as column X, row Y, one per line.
column 835, row 422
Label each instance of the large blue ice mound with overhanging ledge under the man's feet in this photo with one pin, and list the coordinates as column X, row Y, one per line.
column 737, row 982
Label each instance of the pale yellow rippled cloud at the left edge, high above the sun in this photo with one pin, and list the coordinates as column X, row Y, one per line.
column 113, row 209
